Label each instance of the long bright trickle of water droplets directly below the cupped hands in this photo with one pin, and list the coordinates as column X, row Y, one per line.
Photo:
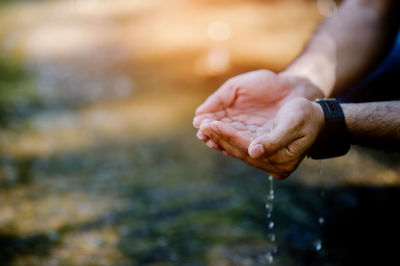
column 269, row 206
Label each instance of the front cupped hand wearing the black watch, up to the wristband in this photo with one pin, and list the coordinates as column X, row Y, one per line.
column 279, row 145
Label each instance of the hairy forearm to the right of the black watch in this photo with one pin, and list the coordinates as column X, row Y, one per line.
column 374, row 124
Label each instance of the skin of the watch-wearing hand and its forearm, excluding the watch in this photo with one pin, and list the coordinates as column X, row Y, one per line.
column 281, row 143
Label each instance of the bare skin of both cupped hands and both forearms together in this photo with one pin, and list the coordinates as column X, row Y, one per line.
column 267, row 119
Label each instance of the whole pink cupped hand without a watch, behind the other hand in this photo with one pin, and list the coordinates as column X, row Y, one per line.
column 247, row 101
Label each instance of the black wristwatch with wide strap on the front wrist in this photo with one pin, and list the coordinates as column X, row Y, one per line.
column 333, row 140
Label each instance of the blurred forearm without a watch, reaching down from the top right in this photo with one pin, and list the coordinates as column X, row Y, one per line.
column 346, row 47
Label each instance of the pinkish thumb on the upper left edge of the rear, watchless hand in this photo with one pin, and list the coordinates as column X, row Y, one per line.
column 219, row 100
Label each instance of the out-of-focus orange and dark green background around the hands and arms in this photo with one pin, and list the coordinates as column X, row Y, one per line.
column 99, row 163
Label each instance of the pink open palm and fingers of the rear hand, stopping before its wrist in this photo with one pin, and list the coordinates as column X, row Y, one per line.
column 246, row 102
